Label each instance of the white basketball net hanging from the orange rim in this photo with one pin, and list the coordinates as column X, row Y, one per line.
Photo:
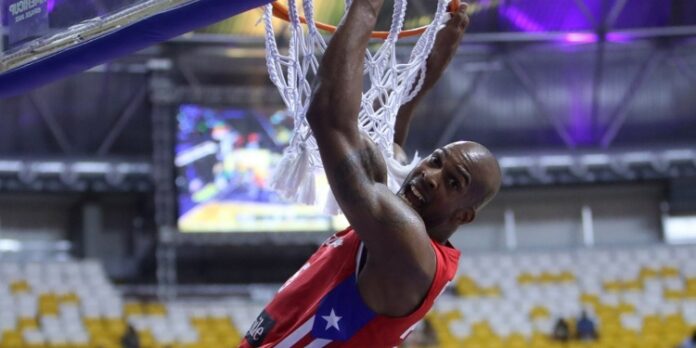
column 391, row 84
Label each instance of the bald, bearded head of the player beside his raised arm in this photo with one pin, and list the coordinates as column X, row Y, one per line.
column 449, row 186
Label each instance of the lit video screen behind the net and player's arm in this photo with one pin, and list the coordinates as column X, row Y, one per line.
column 224, row 160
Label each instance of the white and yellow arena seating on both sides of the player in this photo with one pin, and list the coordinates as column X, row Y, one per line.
column 638, row 298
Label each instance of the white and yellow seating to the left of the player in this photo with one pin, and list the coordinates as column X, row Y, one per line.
column 73, row 304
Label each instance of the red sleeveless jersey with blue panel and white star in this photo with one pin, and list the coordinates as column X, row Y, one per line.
column 320, row 306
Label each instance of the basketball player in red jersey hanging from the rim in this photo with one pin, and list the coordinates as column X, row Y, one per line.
column 368, row 285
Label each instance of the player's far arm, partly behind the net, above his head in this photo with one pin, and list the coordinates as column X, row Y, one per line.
column 444, row 49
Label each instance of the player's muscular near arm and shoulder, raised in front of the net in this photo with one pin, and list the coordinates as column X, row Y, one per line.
column 393, row 233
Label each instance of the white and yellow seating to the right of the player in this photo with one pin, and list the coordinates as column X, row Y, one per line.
column 637, row 298
